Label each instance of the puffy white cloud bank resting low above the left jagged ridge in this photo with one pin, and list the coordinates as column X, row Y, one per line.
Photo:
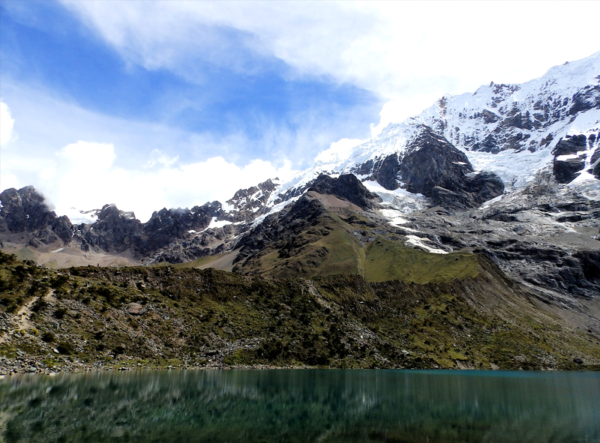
column 84, row 176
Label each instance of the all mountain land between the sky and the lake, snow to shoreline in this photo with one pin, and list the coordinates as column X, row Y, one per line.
column 464, row 237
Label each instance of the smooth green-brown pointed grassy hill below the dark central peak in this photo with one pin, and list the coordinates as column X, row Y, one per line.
column 345, row 241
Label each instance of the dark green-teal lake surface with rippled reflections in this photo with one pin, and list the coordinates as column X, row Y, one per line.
column 302, row 406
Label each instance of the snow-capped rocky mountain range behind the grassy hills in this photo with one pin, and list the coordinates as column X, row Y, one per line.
column 511, row 171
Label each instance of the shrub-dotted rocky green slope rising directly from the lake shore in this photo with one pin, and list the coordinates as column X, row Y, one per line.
column 138, row 317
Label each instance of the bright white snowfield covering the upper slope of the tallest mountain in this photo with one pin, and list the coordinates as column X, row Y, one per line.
column 507, row 129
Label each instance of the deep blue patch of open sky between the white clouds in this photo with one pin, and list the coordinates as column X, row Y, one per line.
column 45, row 45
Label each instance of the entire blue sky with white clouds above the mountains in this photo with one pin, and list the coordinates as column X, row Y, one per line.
column 152, row 104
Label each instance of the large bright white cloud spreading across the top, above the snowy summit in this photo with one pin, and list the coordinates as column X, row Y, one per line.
column 398, row 50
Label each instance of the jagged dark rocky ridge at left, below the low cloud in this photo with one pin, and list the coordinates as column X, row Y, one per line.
column 171, row 235
